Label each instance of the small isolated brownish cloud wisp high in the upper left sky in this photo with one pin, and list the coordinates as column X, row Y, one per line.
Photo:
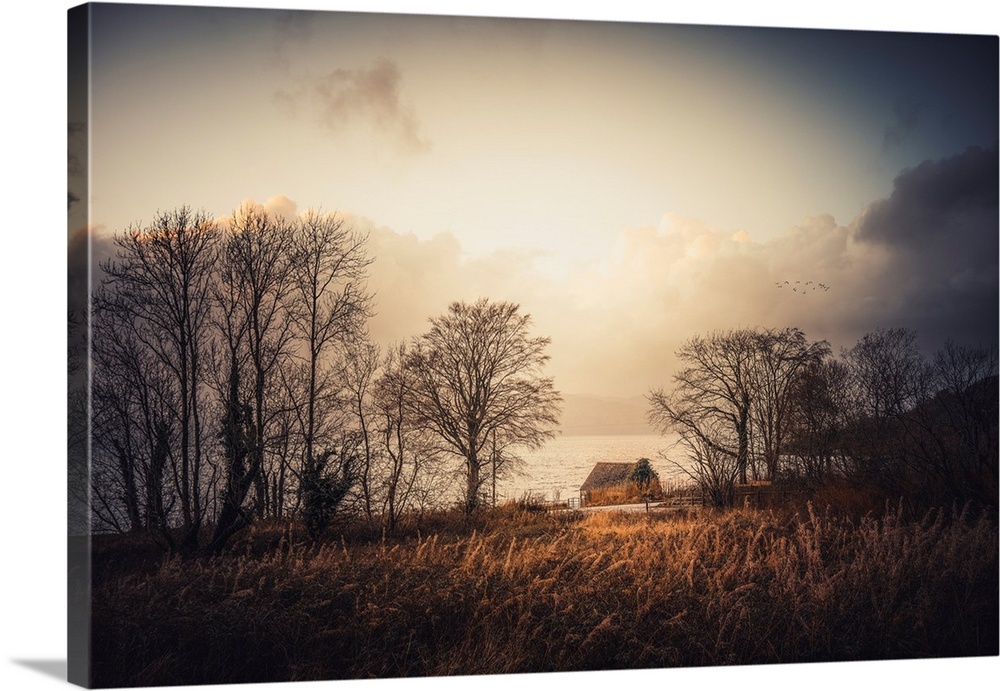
column 369, row 96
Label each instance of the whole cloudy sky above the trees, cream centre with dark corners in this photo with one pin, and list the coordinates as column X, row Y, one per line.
column 629, row 184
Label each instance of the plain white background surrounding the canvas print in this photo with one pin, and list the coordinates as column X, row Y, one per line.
column 32, row 314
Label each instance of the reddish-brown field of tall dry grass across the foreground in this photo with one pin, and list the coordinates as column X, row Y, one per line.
column 525, row 591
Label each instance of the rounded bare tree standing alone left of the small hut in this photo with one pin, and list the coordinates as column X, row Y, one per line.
column 478, row 373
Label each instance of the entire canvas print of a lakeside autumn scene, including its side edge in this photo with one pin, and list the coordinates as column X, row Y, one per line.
column 409, row 346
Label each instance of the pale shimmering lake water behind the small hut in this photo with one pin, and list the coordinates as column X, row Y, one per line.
column 557, row 470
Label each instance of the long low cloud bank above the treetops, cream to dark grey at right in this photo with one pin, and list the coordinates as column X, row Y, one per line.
column 925, row 258
